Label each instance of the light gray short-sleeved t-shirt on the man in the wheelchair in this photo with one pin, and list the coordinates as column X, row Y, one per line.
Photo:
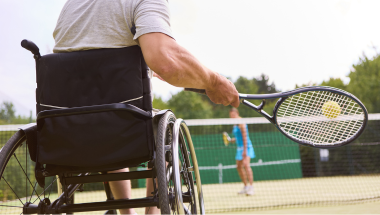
column 94, row 24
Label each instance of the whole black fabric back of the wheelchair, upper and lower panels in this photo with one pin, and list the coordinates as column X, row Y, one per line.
column 94, row 110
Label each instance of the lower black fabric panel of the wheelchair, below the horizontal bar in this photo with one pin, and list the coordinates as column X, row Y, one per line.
column 94, row 135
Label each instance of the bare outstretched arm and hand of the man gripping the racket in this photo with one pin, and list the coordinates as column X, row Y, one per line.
column 180, row 68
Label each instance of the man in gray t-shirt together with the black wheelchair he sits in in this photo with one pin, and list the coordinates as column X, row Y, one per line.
column 94, row 106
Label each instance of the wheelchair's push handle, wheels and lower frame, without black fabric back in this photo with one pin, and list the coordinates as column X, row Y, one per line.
column 173, row 146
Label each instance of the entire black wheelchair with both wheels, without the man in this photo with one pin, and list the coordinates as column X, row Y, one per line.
column 84, row 130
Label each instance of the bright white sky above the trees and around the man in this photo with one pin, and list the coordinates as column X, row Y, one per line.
column 293, row 42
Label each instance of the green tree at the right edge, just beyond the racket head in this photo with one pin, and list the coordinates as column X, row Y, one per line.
column 365, row 82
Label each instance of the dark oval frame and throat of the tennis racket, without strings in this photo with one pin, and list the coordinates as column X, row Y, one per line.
column 285, row 95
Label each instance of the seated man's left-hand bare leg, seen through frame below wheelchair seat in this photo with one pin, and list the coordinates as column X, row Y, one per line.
column 122, row 190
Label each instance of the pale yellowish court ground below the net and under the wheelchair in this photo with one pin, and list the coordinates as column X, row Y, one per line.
column 311, row 195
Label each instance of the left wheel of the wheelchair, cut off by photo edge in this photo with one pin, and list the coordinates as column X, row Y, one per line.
column 18, row 186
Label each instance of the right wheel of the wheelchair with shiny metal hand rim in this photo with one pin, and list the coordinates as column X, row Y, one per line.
column 177, row 193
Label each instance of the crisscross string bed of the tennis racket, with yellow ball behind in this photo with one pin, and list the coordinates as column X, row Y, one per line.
column 303, row 117
